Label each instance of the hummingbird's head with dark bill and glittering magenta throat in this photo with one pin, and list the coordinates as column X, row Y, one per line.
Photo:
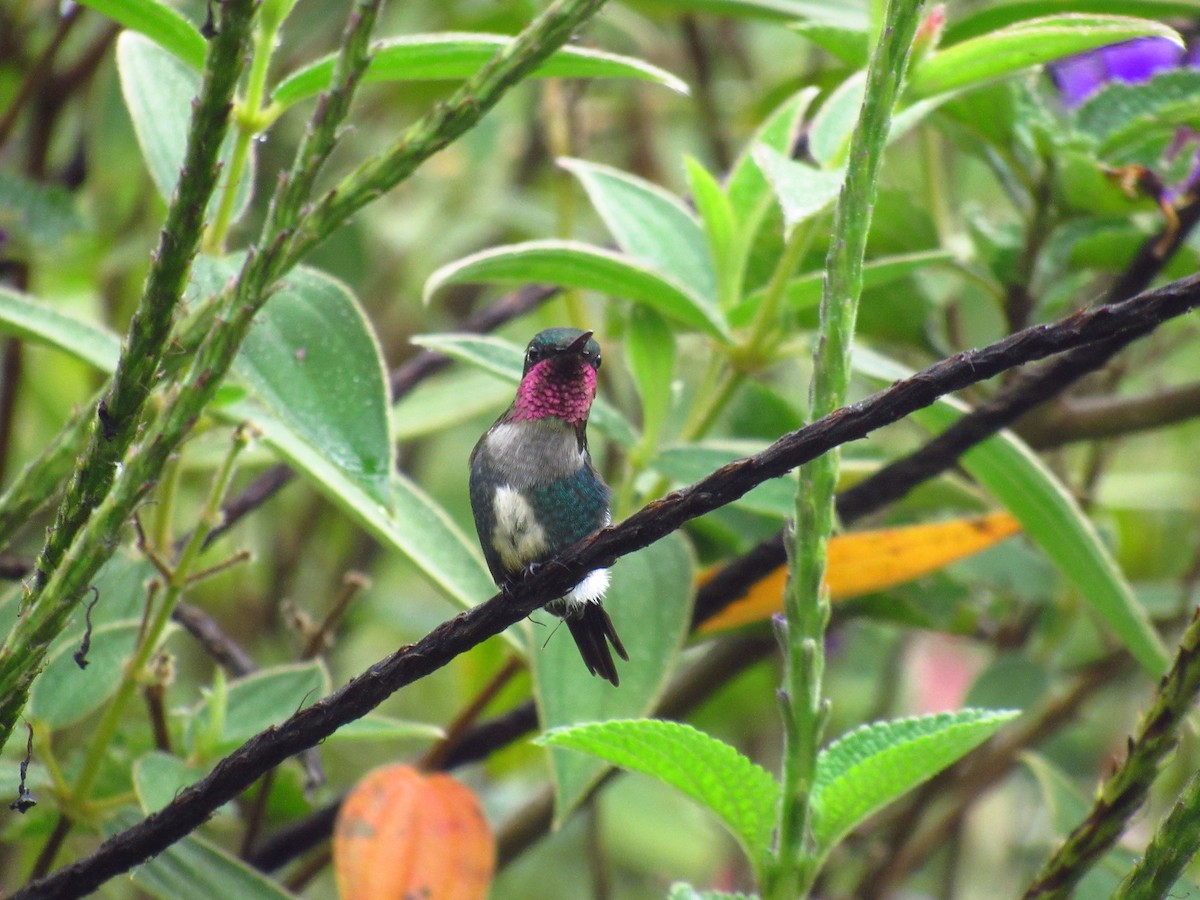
column 560, row 377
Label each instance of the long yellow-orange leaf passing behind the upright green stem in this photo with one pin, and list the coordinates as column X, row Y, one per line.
column 873, row 561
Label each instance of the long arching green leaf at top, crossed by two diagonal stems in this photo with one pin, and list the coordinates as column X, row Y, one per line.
column 453, row 57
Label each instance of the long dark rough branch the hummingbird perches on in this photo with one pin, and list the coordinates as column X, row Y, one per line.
column 308, row 728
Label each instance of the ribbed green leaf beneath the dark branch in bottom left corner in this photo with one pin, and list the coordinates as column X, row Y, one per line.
column 195, row 869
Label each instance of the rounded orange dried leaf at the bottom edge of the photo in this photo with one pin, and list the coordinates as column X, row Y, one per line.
column 403, row 835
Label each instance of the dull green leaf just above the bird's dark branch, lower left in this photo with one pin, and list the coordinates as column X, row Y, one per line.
column 261, row 700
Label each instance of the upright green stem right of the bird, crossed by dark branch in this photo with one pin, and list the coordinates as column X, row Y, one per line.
column 795, row 868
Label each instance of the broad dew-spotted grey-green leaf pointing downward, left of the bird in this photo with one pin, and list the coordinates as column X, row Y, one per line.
column 313, row 361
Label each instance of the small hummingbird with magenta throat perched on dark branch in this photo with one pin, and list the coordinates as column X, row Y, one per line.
column 535, row 490
